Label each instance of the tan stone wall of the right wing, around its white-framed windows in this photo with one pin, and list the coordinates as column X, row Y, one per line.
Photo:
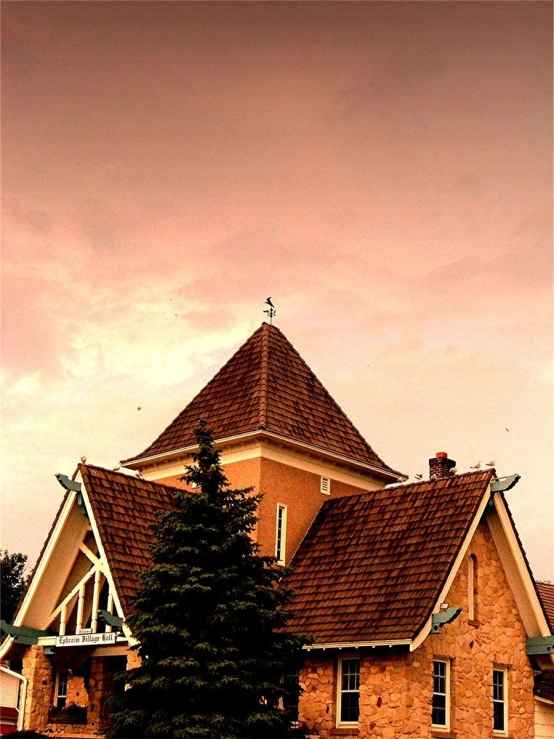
column 396, row 688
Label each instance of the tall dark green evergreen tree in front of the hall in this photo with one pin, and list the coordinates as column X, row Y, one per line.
column 208, row 619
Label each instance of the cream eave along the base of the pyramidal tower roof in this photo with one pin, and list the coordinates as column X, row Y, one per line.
column 383, row 473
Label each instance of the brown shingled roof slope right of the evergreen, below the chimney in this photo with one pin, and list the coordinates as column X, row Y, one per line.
column 372, row 566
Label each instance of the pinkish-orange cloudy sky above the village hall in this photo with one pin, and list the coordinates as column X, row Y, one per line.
column 382, row 170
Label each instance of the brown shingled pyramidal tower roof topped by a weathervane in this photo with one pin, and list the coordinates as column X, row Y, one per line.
column 267, row 386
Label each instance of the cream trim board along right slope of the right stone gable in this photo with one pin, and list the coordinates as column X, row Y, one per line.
column 517, row 572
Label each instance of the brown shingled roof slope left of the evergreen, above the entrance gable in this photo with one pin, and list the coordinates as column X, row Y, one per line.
column 124, row 509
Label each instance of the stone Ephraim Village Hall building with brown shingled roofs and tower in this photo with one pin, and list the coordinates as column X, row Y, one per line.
column 423, row 614
